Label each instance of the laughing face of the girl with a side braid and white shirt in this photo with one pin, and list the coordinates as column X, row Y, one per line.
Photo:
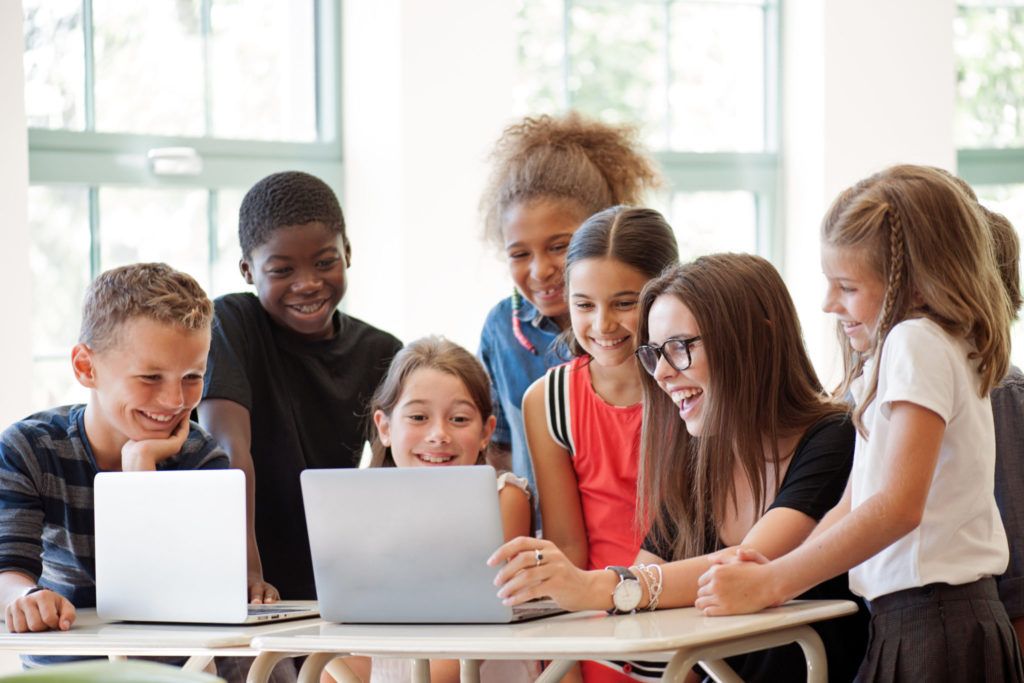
column 856, row 294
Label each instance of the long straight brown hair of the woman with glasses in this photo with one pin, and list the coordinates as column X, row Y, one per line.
column 762, row 389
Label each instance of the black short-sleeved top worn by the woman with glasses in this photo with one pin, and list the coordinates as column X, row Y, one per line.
column 814, row 485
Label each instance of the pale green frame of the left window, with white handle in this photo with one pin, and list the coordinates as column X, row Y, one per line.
column 91, row 160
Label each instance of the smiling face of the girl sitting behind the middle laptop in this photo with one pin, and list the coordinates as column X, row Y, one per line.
column 435, row 423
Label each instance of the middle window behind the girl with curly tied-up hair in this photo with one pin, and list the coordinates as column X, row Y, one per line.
column 701, row 80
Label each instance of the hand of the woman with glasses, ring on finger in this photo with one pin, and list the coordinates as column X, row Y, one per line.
column 536, row 569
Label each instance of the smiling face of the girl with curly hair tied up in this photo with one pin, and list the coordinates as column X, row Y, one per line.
column 537, row 236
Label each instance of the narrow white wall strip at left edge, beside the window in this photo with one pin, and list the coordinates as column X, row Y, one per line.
column 16, row 280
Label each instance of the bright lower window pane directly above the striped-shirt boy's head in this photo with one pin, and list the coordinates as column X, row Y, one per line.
column 168, row 226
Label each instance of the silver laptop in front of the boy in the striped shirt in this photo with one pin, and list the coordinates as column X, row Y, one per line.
column 172, row 547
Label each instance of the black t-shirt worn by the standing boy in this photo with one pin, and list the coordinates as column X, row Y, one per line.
column 308, row 403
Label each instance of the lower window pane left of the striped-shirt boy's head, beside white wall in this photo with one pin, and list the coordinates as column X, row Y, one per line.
column 59, row 228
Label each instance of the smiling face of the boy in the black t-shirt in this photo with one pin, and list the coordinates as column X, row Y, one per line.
column 300, row 275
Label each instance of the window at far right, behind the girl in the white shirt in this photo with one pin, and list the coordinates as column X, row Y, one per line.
column 990, row 124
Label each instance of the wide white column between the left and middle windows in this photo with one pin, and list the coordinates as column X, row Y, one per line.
column 428, row 91
